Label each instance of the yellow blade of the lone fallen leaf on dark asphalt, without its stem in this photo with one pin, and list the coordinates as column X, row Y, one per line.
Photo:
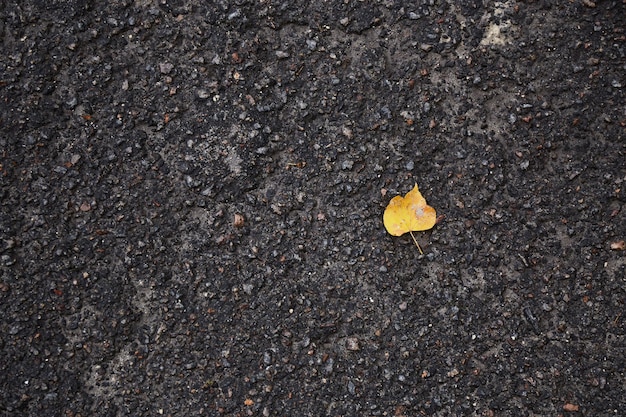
column 408, row 214
